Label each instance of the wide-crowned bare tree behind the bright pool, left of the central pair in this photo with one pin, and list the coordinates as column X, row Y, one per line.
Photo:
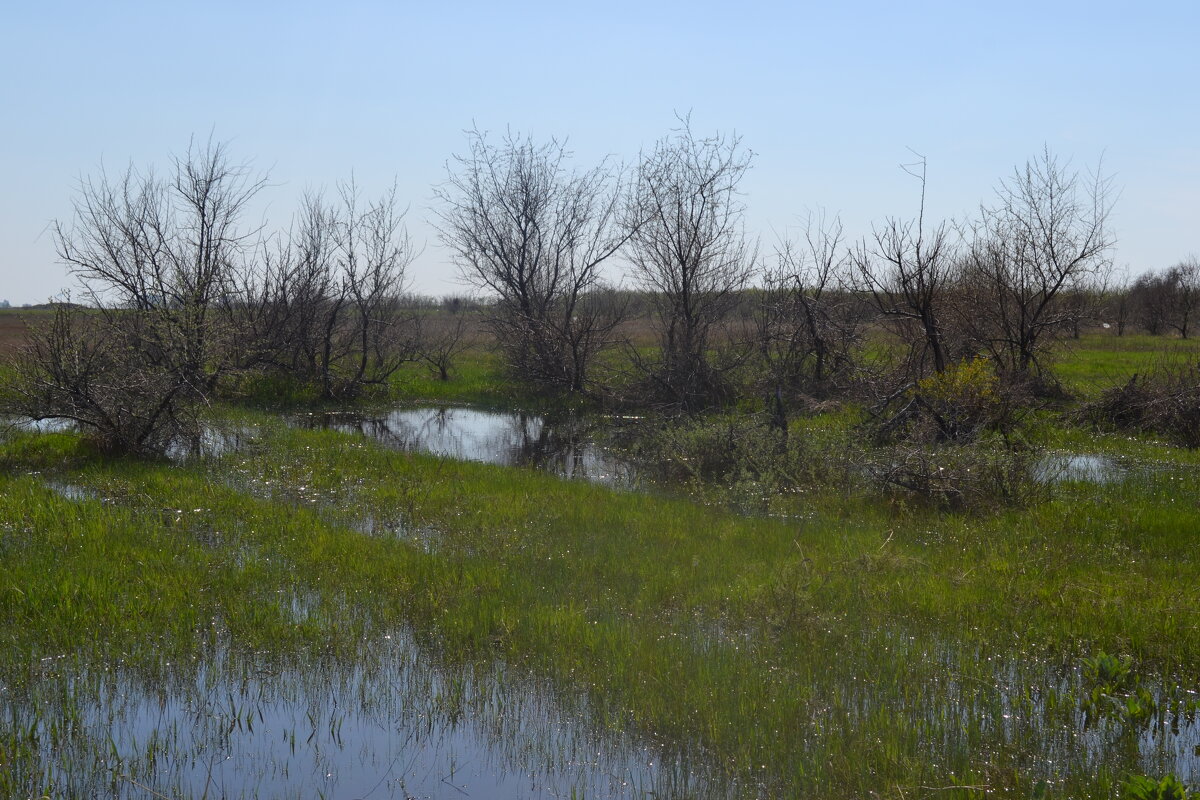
column 526, row 228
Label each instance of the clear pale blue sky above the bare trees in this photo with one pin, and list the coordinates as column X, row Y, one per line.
column 831, row 98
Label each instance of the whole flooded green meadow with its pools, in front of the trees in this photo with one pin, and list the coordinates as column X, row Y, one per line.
column 308, row 611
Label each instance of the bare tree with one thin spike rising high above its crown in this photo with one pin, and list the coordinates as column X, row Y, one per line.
column 908, row 272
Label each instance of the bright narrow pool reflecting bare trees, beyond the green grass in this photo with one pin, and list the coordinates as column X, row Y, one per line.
column 565, row 447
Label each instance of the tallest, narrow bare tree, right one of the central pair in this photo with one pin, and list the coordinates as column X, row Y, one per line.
column 691, row 254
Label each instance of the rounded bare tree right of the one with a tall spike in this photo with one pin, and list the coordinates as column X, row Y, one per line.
column 1046, row 238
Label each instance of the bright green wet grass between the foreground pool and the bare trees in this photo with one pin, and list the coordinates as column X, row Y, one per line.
column 850, row 648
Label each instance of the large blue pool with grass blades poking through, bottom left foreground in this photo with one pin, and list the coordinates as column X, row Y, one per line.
column 391, row 726
